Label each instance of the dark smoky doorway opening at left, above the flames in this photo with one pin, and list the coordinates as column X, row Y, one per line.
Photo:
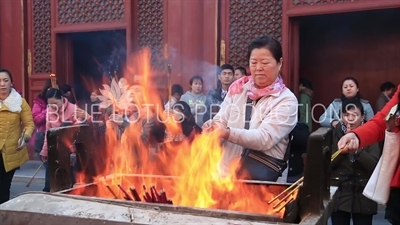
column 97, row 56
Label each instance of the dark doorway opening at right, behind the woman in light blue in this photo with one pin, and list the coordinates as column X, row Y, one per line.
column 364, row 45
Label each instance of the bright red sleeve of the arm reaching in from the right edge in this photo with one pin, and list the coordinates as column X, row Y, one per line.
column 374, row 130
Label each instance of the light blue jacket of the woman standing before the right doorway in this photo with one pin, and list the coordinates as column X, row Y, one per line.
column 333, row 111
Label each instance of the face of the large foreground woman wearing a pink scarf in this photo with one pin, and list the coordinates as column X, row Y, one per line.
column 263, row 67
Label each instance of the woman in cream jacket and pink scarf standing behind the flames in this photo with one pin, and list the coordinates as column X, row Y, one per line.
column 273, row 117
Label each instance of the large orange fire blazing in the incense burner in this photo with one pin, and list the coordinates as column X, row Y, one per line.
column 188, row 172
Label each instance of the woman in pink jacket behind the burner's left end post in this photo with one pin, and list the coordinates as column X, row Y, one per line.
column 59, row 112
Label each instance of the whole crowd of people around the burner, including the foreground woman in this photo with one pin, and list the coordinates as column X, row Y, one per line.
column 254, row 115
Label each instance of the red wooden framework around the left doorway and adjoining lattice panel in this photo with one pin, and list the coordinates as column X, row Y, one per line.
column 61, row 51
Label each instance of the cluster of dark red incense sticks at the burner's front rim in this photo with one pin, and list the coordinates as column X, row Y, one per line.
column 152, row 197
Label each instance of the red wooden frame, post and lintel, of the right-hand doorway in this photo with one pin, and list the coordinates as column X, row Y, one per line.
column 291, row 31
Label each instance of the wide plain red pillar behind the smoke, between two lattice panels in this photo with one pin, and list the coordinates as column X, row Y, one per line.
column 191, row 34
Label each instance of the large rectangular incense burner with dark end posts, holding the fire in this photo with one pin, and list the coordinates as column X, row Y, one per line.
column 82, row 204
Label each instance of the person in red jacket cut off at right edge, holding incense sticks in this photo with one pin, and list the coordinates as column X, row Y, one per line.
column 374, row 131
